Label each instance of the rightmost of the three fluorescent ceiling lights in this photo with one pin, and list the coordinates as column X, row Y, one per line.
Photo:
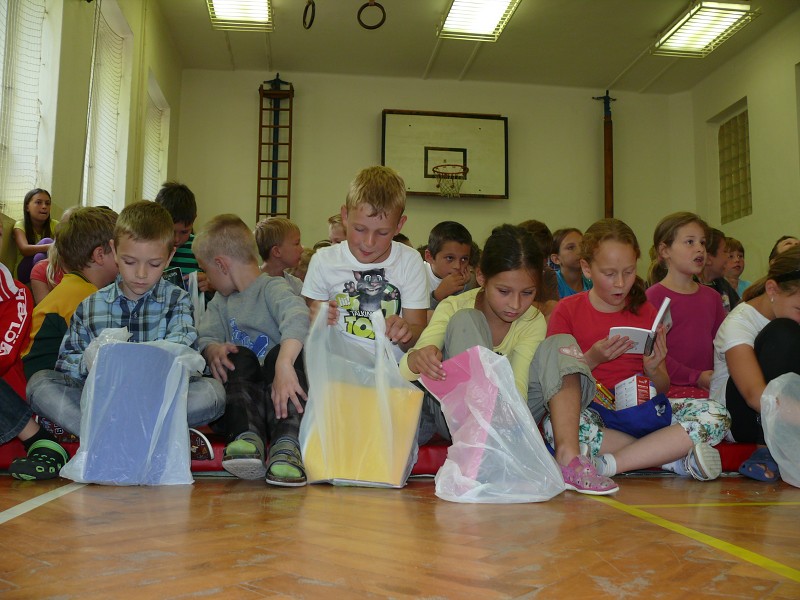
column 702, row 28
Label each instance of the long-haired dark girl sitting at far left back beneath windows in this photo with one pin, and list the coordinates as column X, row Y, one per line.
column 34, row 233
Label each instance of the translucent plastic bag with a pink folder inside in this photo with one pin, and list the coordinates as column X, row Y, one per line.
column 498, row 455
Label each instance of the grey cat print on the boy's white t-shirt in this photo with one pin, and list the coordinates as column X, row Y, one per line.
column 369, row 291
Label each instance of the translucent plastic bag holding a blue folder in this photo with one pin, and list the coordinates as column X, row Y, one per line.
column 133, row 416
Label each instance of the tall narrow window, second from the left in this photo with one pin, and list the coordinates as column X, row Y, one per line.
column 109, row 109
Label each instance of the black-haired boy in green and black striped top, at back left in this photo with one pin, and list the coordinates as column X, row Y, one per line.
column 179, row 201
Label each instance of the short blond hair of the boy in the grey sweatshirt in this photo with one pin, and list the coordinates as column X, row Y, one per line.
column 225, row 235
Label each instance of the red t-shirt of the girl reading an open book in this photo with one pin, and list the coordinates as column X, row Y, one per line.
column 576, row 315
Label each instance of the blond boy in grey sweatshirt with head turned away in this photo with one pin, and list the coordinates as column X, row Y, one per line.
column 252, row 338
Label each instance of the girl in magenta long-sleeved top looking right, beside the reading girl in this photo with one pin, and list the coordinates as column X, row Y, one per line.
column 679, row 253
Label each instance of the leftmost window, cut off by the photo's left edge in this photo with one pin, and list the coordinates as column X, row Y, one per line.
column 21, row 58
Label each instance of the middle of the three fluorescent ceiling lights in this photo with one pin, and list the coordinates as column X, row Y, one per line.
column 481, row 20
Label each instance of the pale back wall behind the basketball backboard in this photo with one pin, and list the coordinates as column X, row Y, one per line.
column 555, row 149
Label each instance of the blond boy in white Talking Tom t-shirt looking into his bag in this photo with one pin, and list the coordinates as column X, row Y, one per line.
column 370, row 271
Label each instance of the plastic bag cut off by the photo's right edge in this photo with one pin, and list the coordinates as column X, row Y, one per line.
column 780, row 418
